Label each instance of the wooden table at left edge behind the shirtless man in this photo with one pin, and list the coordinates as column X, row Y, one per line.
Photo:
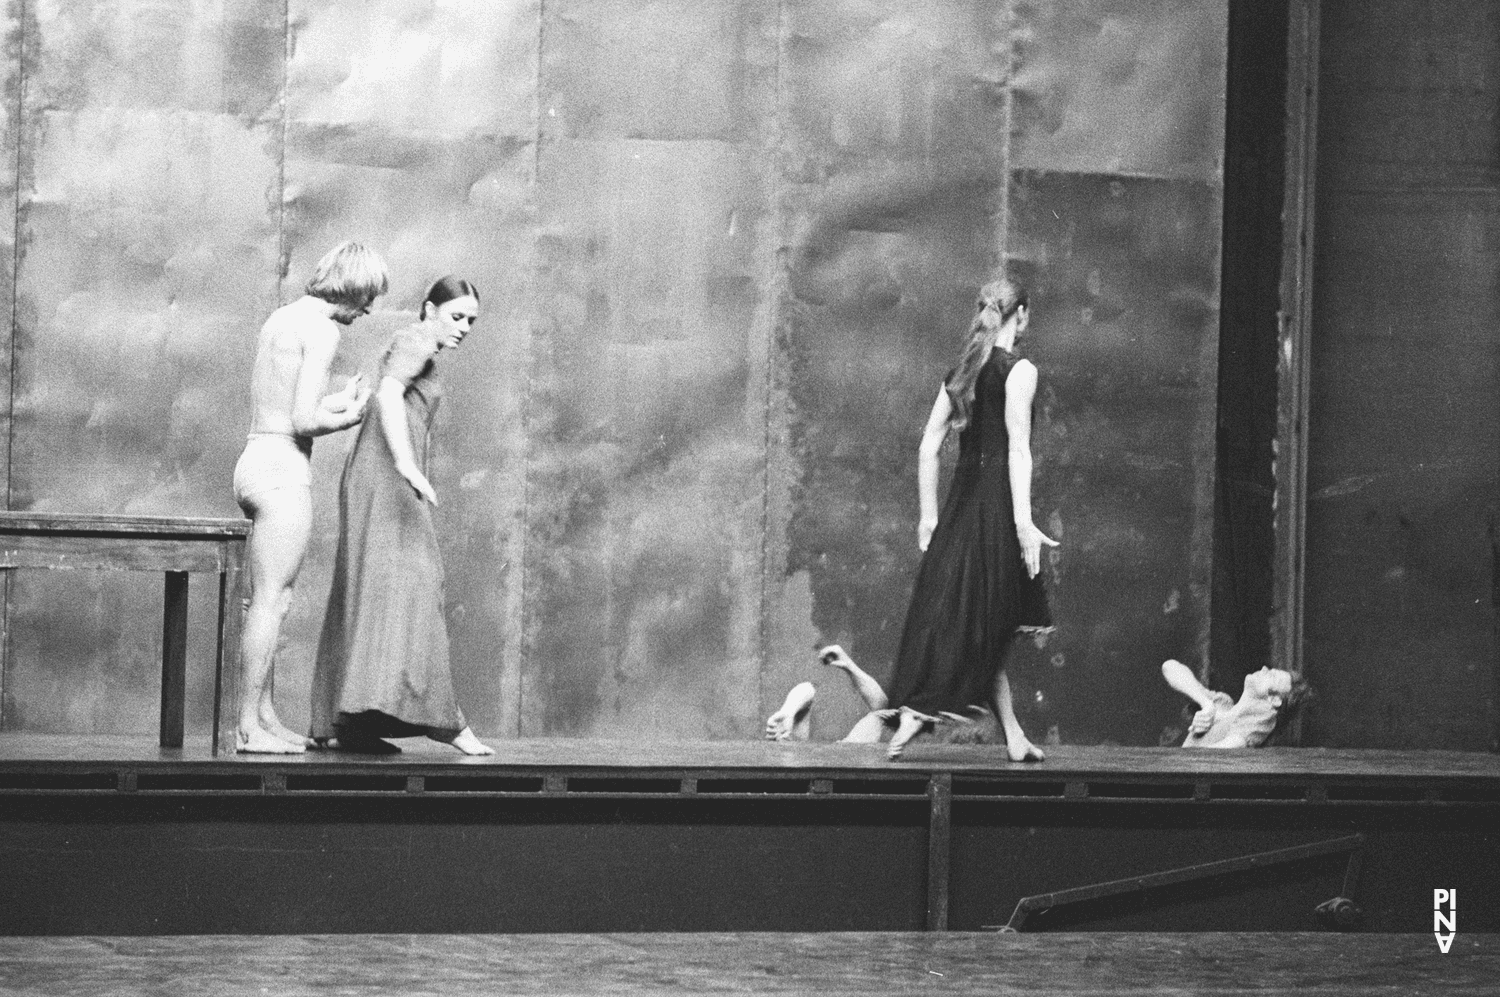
column 176, row 546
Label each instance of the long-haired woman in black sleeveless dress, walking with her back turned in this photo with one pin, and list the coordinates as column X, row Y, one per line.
column 979, row 584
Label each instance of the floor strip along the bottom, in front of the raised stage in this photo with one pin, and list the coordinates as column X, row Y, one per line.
column 826, row 965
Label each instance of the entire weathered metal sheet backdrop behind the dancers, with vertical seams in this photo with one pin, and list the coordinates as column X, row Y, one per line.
column 728, row 251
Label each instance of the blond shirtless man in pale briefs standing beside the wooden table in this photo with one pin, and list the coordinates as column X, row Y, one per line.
column 274, row 482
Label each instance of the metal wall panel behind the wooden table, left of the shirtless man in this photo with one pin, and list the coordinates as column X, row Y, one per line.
column 148, row 229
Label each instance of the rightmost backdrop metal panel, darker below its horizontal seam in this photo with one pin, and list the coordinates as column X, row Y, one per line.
column 1115, row 223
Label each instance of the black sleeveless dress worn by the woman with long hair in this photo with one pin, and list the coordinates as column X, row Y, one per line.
column 973, row 593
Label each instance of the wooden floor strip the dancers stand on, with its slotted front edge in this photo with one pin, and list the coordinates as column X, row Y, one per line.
column 568, row 767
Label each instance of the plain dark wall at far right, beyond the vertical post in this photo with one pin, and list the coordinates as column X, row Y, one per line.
column 1405, row 424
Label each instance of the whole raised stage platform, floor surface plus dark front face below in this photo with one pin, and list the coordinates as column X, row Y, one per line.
column 118, row 836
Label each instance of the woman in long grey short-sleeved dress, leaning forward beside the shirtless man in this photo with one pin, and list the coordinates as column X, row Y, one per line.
column 383, row 659
